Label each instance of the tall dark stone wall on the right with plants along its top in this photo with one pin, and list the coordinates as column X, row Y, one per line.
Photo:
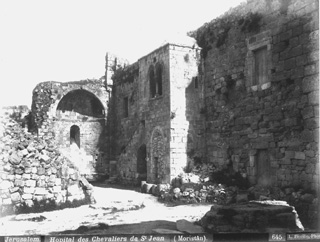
column 263, row 122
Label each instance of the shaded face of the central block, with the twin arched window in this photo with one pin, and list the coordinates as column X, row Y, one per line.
column 145, row 114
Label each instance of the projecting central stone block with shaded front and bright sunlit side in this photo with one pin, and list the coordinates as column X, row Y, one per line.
column 159, row 117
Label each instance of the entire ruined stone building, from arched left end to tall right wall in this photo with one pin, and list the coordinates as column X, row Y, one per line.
column 245, row 100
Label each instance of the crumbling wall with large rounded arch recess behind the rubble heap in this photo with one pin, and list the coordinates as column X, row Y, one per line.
column 59, row 107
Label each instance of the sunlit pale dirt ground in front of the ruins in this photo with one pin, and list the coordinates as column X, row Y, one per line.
column 117, row 210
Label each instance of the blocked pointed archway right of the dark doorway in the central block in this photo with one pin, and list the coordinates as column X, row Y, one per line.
column 157, row 165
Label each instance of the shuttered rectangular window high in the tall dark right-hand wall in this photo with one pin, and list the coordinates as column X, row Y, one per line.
column 260, row 66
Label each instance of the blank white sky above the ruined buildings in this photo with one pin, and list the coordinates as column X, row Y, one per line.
column 67, row 40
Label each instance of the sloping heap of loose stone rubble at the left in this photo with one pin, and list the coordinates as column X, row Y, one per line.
column 34, row 175
